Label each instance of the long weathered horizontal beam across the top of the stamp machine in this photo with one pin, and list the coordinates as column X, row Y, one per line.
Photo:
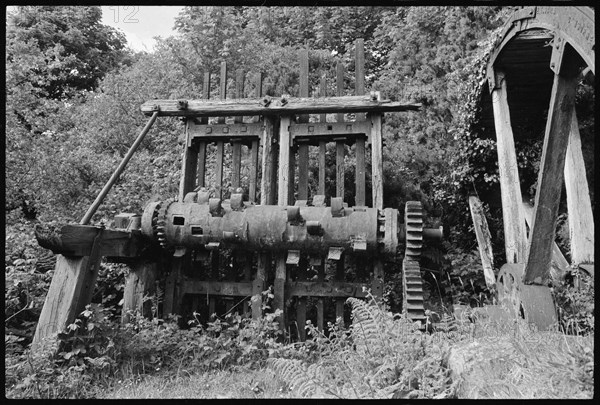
column 292, row 105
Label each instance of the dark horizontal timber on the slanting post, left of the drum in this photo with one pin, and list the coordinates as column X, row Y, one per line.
column 77, row 240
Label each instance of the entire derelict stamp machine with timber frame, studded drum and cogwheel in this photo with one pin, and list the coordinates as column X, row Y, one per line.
column 269, row 222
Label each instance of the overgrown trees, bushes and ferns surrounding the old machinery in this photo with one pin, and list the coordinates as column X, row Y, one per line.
column 72, row 110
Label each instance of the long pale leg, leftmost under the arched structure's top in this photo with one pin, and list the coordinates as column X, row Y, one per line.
column 512, row 213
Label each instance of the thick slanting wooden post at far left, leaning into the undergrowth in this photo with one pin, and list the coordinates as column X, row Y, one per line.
column 70, row 291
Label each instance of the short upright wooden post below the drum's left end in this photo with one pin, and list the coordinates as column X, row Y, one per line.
column 139, row 283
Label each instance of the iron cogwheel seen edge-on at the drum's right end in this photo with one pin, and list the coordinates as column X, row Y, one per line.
column 411, row 270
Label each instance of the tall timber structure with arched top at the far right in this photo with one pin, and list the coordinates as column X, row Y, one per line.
column 542, row 55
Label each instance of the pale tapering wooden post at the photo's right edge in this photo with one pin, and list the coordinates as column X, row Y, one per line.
column 581, row 220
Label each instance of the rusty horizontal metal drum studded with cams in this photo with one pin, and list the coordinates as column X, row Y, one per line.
column 267, row 228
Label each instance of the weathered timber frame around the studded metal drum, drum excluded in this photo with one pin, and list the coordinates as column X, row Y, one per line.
column 267, row 140
